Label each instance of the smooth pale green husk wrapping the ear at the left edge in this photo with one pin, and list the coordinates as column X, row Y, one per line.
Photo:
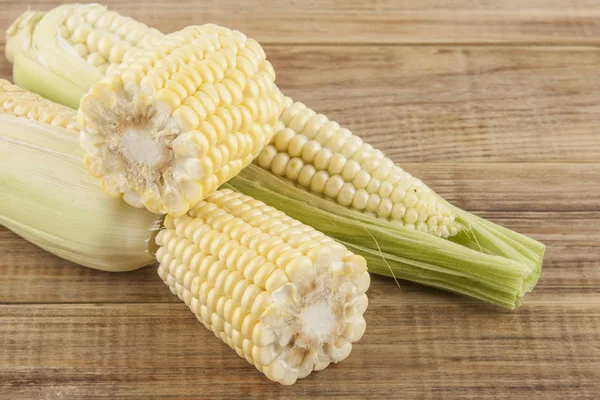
column 49, row 198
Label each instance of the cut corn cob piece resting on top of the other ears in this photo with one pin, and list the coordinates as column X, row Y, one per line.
column 185, row 116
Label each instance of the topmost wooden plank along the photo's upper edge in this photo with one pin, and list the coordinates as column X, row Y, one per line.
column 326, row 21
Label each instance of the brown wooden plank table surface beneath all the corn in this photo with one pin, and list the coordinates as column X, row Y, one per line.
column 495, row 104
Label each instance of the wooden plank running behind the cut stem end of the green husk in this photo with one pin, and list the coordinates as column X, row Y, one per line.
column 33, row 276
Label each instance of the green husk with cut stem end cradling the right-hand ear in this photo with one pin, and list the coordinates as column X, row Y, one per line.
column 485, row 261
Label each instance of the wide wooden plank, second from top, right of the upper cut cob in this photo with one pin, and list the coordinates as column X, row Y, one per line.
column 439, row 104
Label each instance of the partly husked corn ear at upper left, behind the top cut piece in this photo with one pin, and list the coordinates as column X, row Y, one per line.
column 61, row 53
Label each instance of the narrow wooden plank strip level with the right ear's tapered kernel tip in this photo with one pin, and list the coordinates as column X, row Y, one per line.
column 514, row 187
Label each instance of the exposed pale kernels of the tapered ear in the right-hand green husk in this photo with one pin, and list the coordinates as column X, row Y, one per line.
column 326, row 159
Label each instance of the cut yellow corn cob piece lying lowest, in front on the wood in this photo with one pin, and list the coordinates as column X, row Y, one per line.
column 285, row 297
